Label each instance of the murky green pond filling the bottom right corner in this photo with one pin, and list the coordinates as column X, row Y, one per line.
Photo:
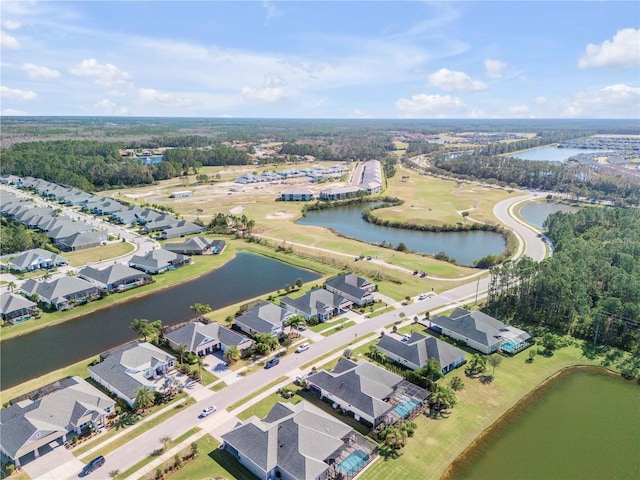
column 583, row 424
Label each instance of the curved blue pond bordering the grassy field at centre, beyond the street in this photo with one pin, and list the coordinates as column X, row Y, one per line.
column 464, row 247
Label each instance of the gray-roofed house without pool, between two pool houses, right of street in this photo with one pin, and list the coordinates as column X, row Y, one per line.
column 414, row 352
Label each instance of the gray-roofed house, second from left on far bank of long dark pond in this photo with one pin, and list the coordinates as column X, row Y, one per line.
column 62, row 293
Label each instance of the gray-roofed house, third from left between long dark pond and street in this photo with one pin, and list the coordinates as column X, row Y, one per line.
column 203, row 339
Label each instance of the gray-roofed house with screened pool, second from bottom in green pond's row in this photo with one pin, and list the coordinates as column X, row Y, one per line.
column 370, row 392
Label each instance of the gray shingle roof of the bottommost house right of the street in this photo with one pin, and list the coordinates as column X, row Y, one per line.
column 295, row 438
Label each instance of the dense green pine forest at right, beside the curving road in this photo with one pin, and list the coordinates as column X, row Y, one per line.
column 589, row 288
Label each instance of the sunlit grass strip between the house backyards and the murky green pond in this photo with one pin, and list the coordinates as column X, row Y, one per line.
column 437, row 442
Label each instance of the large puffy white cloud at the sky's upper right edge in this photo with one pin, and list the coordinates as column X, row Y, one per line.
column 622, row 51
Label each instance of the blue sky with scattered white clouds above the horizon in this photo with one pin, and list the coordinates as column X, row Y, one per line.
column 330, row 59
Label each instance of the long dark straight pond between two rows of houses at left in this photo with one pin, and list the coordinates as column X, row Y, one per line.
column 245, row 276
